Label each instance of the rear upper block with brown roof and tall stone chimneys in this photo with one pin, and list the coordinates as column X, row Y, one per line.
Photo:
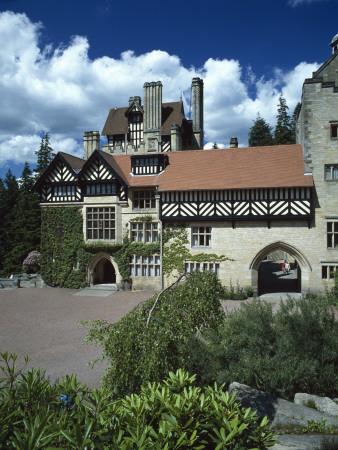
column 153, row 126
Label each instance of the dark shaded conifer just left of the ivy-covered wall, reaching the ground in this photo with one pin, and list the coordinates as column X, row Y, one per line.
column 24, row 228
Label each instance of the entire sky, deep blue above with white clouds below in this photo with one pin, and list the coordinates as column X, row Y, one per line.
column 63, row 65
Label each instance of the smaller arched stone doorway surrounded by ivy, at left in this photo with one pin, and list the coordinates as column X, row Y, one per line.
column 102, row 269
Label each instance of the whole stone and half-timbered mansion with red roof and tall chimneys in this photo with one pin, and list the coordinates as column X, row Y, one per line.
column 243, row 203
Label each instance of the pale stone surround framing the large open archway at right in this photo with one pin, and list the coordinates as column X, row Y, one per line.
column 303, row 267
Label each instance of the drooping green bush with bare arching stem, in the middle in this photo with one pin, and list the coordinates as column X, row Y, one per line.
column 148, row 343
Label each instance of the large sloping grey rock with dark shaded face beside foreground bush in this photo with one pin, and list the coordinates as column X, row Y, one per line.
column 280, row 412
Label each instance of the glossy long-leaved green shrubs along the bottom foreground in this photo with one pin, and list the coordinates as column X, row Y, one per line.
column 172, row 414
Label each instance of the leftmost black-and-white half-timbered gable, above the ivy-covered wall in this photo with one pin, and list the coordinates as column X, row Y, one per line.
column 59, row 183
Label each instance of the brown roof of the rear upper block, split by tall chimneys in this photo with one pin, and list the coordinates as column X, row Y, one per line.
column 117, row 122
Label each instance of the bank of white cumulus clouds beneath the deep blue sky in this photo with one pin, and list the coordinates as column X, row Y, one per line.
column 62, row 91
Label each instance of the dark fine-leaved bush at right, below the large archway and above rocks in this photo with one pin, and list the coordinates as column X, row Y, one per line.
column 294, row 350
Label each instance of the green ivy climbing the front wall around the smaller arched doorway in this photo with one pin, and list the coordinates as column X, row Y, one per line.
column 63, row 247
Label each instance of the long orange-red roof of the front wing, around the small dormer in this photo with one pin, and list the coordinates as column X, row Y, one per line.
column 235, row 168
